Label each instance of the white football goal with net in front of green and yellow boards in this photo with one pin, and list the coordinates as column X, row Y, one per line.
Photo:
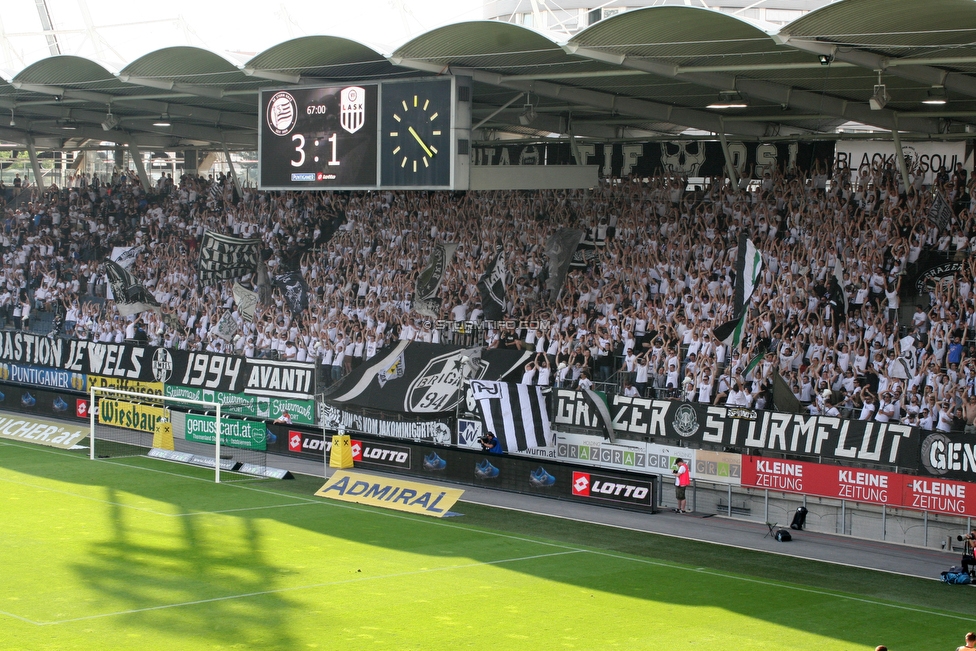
column 129, row 423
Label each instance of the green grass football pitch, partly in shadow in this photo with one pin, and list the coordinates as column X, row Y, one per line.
column 142, row 554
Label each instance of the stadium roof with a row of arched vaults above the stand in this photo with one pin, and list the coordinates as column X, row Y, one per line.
column 653, row 72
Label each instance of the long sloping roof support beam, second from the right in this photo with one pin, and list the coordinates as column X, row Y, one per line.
column 766, row 90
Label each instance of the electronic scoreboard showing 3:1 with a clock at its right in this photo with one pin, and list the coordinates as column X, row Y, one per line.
column 390, row 134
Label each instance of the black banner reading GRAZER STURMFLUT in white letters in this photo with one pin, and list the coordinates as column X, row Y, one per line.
column 869, row 442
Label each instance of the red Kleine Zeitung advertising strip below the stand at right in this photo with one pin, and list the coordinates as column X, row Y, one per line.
column 860, row 485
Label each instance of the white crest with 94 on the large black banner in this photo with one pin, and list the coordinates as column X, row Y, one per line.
column 438, row 387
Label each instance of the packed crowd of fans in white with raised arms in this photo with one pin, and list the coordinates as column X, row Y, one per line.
column 639, row 317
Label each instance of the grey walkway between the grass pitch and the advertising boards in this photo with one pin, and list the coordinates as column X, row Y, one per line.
column 844, row 550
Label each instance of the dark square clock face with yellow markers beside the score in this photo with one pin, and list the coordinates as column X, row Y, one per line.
column 415, row 149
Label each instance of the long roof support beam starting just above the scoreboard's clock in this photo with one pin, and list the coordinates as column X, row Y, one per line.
column 605, row 101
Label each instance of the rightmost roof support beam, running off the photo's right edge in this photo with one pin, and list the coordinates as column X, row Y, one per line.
column 905, row 68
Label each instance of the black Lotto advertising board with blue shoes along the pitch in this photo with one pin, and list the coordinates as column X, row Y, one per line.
column 520, row 474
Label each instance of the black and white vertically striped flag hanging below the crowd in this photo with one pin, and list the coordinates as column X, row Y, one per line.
column 515, row 413
